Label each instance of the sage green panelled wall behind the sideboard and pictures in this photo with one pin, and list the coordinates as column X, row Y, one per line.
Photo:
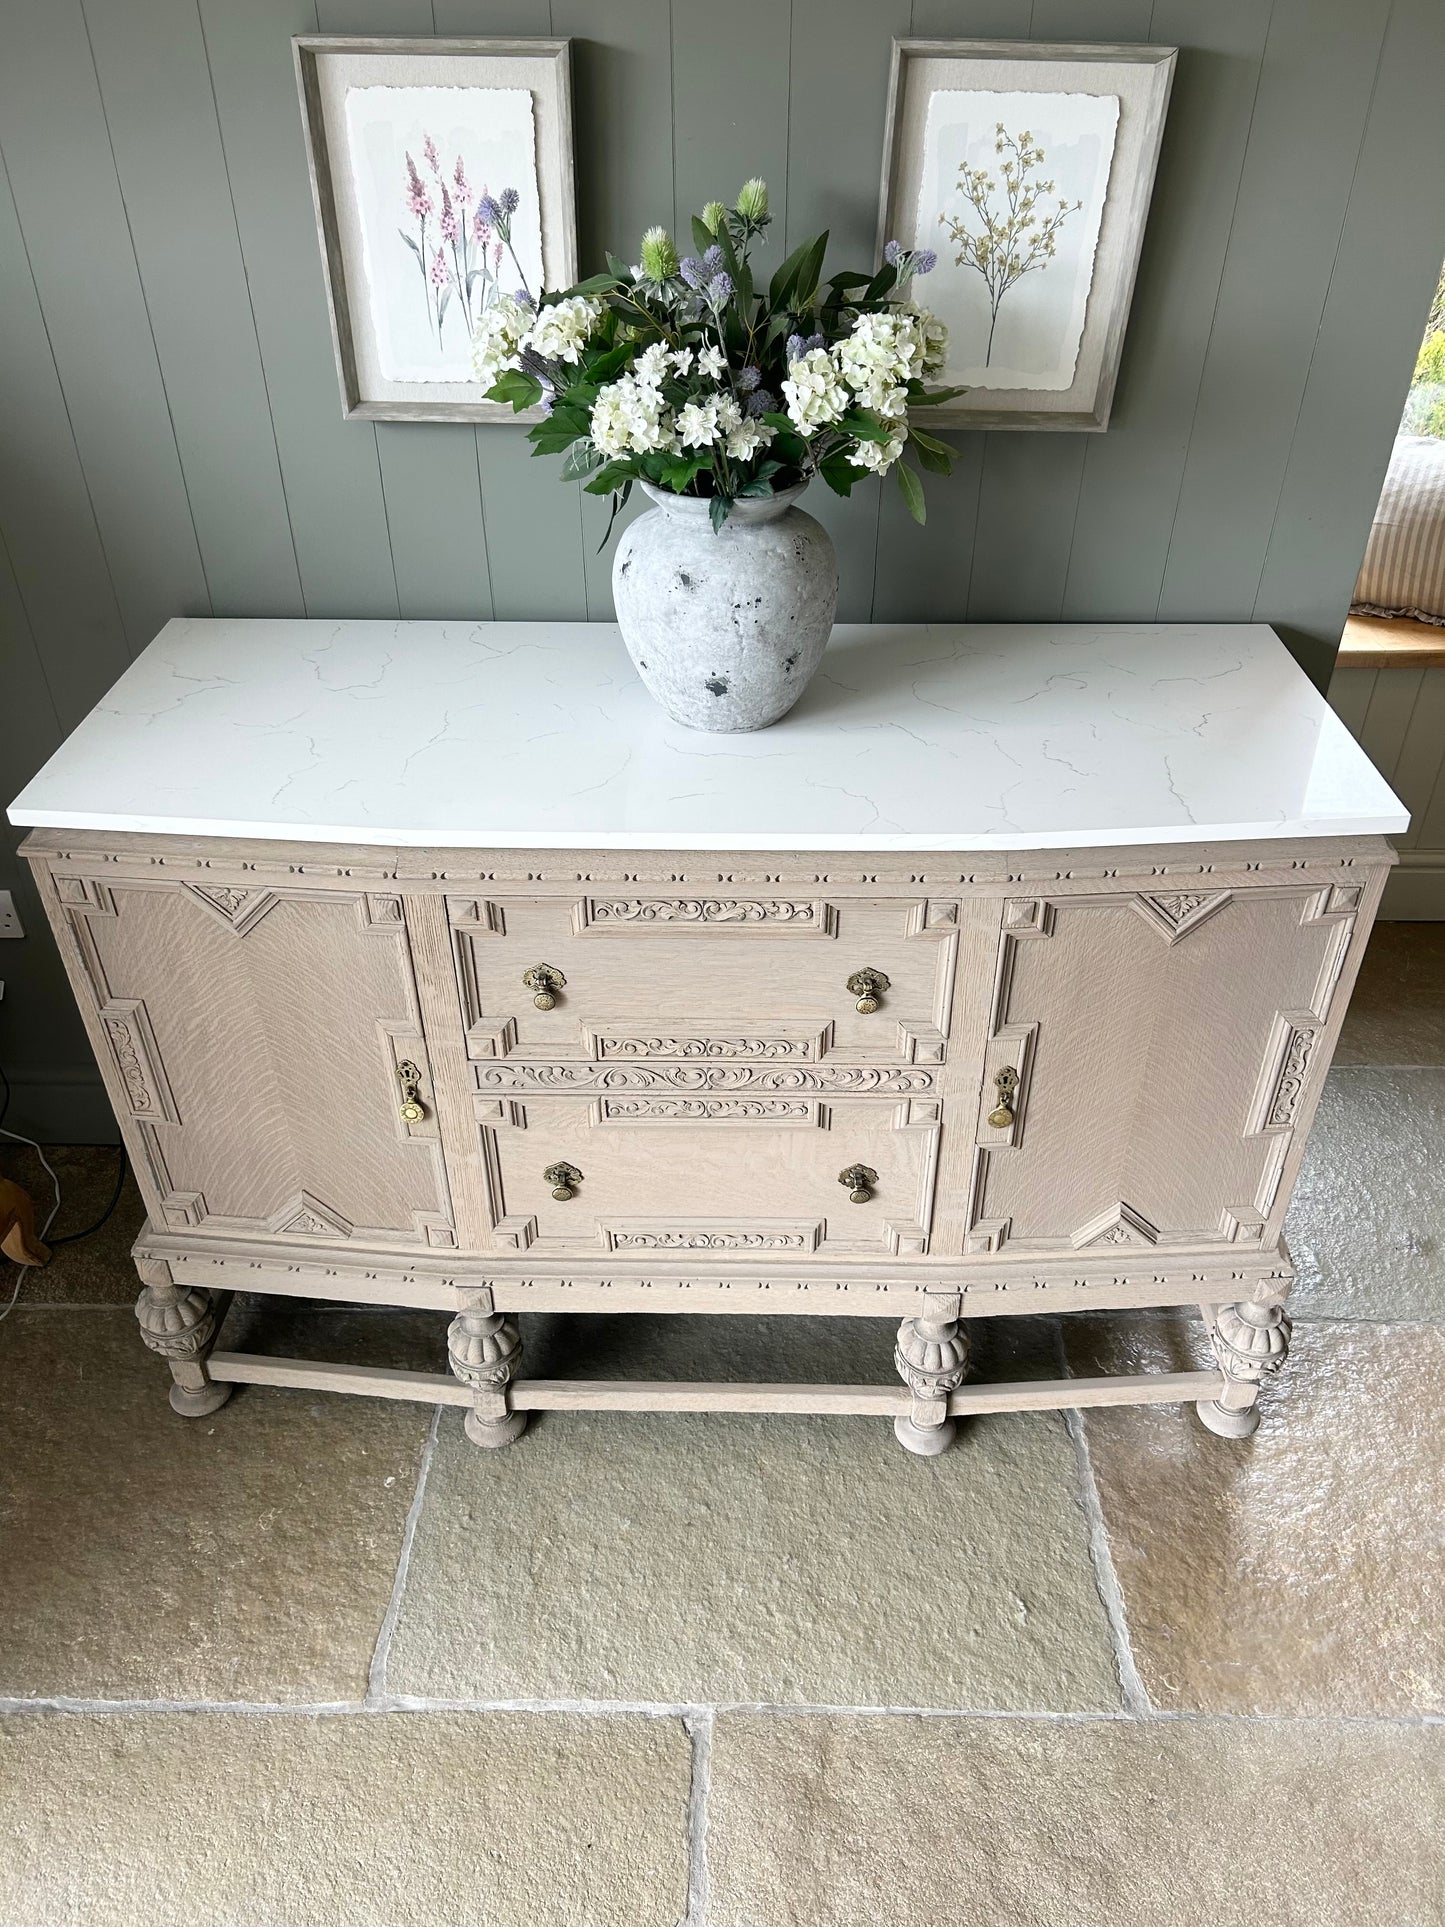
column 172, row 440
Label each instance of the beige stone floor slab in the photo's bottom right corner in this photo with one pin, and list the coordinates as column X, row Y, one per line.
column 1076, row 1824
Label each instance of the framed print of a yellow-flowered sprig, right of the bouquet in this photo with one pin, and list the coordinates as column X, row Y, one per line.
column 1030, row 171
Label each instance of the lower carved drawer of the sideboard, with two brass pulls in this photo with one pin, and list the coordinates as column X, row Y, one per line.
column 668, row 1173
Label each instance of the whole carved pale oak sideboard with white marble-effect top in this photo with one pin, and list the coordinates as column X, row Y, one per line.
column 429, row 964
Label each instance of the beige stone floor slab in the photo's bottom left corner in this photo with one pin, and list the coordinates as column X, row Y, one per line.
column 392, row 1820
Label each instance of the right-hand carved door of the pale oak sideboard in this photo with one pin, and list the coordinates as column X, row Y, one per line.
column 1165, row 1045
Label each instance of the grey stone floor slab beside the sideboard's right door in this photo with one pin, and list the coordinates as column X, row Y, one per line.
column 1367, row 1225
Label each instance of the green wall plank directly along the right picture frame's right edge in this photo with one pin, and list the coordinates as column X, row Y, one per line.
column 1132, row 473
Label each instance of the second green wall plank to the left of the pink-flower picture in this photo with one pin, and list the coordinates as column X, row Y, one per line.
column 155, row 86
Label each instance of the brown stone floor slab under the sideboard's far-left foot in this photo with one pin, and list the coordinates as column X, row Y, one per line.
column 248, row 1556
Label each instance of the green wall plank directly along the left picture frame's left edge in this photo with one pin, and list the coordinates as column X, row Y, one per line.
column 330, row 467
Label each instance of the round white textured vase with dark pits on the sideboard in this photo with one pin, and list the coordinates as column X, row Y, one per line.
column 725, row 629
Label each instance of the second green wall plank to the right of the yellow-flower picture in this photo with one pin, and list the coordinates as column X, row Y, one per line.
column 1305, row 140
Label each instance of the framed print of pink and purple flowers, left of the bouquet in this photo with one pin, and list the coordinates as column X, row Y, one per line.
column 442, row 178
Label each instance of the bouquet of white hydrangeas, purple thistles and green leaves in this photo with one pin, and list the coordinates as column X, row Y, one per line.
column 687, row 375
